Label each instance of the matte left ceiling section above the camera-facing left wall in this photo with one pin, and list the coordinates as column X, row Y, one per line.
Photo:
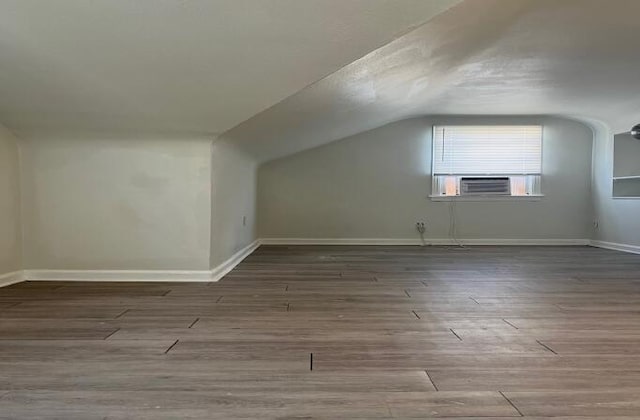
column 179, row 65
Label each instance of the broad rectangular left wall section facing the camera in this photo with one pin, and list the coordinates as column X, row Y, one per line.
column 102, row 202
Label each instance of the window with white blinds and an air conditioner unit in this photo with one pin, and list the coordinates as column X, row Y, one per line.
column 487, row 160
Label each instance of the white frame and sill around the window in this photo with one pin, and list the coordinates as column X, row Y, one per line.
column 435, row 196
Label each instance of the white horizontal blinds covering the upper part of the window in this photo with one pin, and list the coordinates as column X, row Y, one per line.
column 487, row 150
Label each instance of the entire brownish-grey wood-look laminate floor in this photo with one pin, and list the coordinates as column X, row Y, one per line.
column 336, row 332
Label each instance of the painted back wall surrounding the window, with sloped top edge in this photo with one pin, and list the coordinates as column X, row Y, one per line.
column 375, row 185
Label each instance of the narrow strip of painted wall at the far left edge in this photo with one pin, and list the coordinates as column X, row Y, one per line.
column 10, row 224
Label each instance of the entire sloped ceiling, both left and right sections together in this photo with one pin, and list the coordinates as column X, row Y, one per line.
column 280, row 76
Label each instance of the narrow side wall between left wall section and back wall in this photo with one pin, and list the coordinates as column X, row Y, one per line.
column 233, row 193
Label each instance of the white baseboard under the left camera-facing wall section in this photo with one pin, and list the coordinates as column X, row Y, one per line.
column 118, row 275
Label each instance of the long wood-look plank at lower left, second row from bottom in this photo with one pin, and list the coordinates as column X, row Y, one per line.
column 155, row 374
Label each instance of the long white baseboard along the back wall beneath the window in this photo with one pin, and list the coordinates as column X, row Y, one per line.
column 428, row 241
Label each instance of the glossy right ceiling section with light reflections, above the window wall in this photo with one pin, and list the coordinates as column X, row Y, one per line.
column 578, row 58
